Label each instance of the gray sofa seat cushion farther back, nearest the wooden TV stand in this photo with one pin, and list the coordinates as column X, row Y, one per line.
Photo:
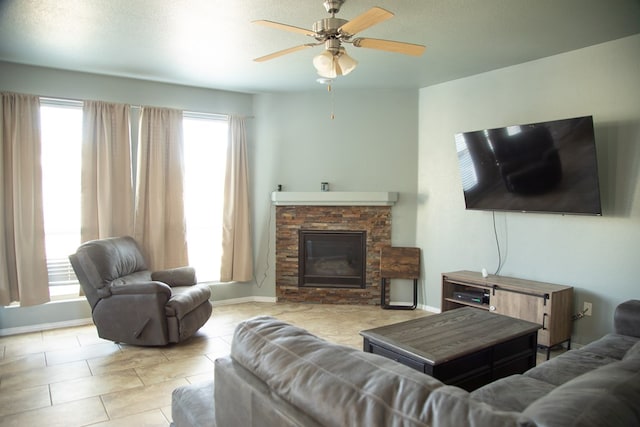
column 568, row 366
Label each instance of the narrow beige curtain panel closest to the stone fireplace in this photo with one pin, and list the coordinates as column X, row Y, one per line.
column 237, row 257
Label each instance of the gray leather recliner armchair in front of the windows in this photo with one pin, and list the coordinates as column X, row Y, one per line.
column 129, row 303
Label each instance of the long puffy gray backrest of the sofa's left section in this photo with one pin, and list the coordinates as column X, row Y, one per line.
column 341, row 386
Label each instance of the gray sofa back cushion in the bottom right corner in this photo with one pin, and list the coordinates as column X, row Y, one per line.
column 605, row 396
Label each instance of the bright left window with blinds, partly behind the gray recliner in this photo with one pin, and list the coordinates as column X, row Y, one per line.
column 61, row 133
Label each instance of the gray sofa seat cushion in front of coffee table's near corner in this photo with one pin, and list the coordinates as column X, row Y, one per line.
column 513, row 393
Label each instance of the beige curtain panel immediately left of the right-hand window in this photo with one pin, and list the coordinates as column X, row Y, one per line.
column 160, row 225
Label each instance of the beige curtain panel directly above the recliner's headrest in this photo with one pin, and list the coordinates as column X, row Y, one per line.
column 107, row 192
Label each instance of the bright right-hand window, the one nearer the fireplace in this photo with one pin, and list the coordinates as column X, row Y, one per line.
column 205, row 152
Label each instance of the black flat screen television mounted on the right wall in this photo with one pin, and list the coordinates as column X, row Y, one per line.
column 537, row 167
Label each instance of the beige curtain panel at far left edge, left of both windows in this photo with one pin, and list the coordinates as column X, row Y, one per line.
column 23, row 268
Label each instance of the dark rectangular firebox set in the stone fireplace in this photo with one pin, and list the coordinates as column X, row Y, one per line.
column 335, row 259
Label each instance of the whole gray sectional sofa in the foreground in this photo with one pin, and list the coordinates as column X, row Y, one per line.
column 281, row 375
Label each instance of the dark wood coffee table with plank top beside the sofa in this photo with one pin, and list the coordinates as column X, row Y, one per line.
column 466, row 347
